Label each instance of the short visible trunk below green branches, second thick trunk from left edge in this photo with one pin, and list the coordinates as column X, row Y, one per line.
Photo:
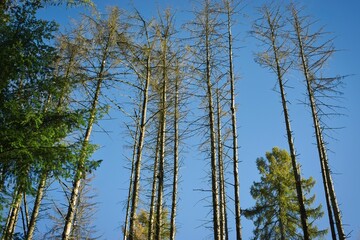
column 35, row 212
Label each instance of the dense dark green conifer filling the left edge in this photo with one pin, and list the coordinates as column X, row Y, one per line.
column 32, row 126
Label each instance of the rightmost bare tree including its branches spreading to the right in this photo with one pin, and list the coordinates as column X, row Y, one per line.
column 312, row 56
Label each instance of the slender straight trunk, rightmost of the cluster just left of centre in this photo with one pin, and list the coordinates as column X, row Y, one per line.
column 176, row 158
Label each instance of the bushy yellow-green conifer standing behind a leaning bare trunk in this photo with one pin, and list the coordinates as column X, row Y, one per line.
column 276, row 214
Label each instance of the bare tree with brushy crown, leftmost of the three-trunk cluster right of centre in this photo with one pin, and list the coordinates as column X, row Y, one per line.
column 205, row 30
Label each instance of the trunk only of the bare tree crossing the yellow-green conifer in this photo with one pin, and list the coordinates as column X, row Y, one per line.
column 296, row 169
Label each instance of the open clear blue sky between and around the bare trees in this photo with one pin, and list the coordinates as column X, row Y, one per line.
column 260, row 122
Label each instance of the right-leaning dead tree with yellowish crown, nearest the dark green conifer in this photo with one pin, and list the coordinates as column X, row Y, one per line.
column 99, row 59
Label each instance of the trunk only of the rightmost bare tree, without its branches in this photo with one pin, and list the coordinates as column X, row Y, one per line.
column 326, row 174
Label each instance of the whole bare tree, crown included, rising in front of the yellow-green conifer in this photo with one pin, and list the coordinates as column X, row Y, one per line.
column 270, row 31
